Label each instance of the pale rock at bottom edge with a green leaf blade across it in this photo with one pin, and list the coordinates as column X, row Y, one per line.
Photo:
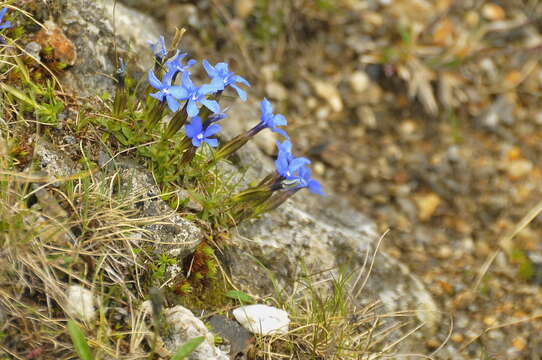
column 184, row 326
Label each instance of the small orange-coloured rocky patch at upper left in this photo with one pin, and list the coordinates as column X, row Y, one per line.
column 53, row 37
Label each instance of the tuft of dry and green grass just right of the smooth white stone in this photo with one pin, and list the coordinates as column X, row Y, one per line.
column 328, row 321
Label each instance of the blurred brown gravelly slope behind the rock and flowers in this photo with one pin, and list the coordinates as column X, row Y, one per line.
column 426, row 116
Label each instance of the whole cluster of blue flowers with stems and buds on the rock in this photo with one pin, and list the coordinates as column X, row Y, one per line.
column 197, row 109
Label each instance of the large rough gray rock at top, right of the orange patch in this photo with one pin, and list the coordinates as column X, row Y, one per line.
column 91, row 27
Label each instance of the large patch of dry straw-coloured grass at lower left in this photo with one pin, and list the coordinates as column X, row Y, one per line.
column 42, row 256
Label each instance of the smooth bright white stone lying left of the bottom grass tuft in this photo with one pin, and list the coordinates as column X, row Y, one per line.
column 262, row 319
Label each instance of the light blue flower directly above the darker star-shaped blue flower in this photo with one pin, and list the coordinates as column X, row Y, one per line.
column 195, row 95
